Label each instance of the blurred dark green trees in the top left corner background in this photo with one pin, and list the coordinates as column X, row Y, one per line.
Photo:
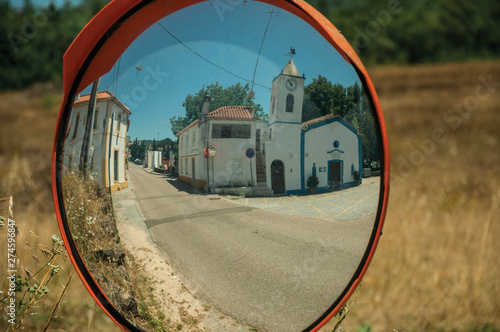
column 34, row 40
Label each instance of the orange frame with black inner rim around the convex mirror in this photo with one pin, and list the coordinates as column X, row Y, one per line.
column 98, row 47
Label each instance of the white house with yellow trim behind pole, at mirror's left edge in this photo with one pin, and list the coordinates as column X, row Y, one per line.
column 108, row 141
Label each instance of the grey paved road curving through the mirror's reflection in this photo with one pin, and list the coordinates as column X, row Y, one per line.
column 270, row 270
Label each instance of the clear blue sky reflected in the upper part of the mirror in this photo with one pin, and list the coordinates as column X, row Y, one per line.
column 228, row 39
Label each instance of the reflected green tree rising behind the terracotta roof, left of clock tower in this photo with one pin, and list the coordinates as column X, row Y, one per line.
column 235, row 95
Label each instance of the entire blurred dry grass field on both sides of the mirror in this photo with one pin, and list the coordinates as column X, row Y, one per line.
column 437, row 267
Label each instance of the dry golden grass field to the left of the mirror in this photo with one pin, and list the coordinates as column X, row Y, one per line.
column 27, row 124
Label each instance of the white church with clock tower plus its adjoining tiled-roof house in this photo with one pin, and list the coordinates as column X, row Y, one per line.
column 214, row 151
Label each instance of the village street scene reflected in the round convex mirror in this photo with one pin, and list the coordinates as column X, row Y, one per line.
column 206, row 176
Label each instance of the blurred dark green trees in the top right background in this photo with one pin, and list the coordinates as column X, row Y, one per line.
column 418, row 31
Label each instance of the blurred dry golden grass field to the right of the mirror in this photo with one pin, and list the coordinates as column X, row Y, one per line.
column 437, row 267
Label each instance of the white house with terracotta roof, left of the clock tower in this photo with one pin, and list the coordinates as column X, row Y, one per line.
column 212, row 149
